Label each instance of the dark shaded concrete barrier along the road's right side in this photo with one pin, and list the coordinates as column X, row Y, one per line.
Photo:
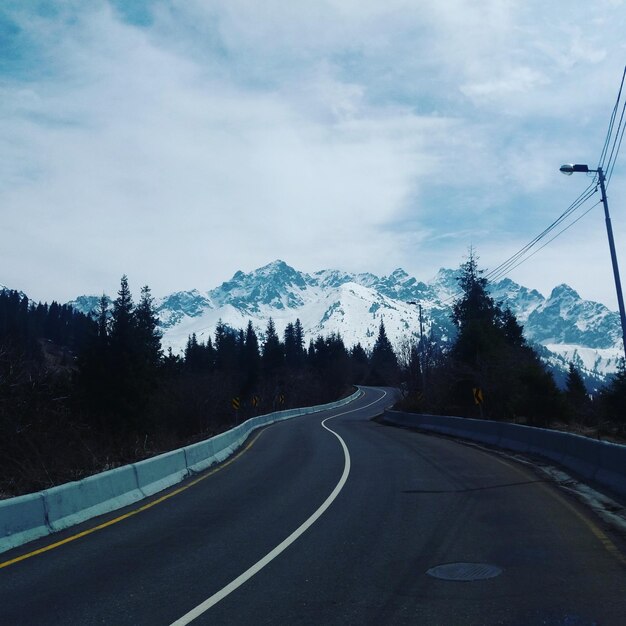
column 600, row 461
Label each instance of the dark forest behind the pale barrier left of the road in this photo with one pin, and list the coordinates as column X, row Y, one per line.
column 79, row 395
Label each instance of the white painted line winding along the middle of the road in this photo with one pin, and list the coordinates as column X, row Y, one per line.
column 270, row 556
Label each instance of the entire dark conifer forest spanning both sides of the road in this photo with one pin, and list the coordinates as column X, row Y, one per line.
column 81, row 394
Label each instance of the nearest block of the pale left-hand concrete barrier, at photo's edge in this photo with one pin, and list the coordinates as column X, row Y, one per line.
column 22, row 519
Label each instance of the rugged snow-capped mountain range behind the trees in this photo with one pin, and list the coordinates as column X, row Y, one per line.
column 569, row 328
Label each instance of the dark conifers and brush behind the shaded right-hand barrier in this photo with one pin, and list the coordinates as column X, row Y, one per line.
column 491, row 371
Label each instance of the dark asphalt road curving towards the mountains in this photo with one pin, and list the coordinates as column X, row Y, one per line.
column 333, row 518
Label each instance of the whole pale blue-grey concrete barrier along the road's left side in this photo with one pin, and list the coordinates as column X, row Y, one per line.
column 31, row 516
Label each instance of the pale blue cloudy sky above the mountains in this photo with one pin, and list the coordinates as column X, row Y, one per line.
column 178, row 141
